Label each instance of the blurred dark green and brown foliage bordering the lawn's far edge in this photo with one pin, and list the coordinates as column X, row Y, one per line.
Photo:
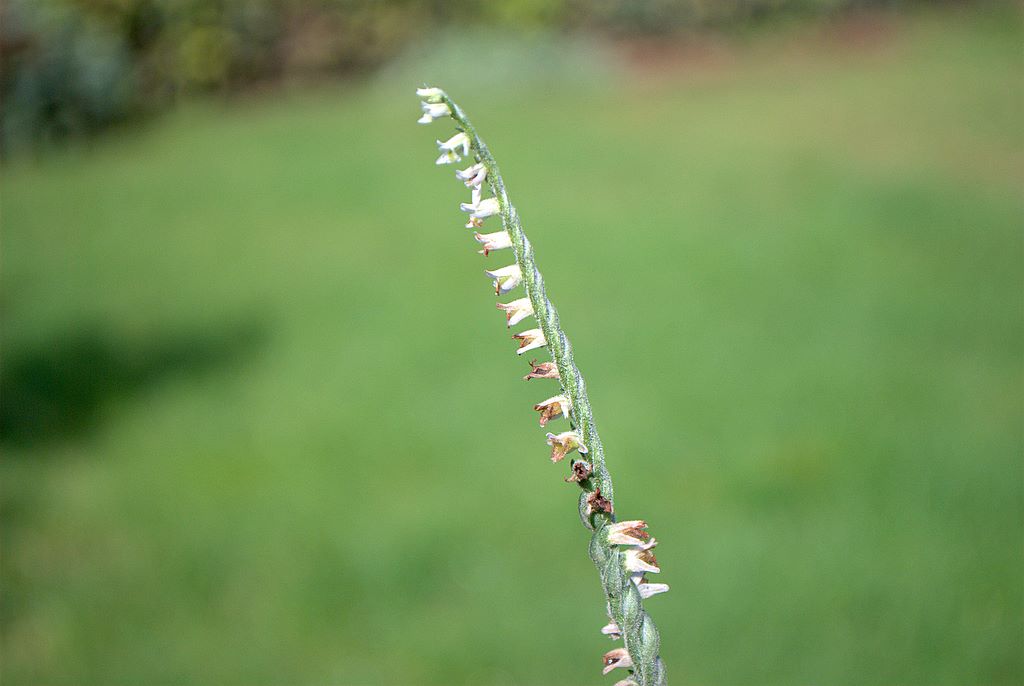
column 77, row 66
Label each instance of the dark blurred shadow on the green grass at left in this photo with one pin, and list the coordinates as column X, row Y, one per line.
column 58, row 391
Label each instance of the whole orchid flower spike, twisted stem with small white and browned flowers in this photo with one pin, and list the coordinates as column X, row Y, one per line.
column 622, row 551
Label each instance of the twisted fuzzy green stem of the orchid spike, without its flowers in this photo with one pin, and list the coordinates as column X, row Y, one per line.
column 624, row 599
